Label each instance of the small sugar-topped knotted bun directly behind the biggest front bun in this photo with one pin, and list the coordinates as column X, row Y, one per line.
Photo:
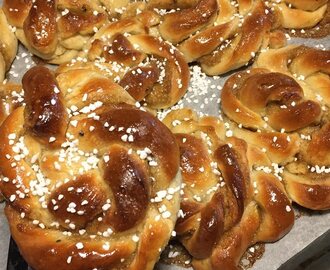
column 149, row 69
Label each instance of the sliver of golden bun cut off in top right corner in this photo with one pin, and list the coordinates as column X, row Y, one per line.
column 300, row 13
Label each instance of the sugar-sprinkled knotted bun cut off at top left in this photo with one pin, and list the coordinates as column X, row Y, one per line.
column 55, row 30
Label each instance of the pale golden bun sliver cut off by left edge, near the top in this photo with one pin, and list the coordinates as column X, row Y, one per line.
column 8, row 46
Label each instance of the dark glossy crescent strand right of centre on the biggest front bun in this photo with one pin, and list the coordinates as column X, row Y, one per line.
column 128, row 180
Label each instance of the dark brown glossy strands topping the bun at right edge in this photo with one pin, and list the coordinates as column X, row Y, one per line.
column 281, row 89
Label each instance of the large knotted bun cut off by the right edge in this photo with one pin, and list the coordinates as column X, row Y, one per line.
column 291, row 98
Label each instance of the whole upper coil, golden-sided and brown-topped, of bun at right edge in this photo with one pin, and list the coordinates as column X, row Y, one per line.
column 248, row 96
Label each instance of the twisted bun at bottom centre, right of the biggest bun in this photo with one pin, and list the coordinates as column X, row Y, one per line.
column 222, row 211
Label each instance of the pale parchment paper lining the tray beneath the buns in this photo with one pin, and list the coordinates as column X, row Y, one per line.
column 205, row 90
